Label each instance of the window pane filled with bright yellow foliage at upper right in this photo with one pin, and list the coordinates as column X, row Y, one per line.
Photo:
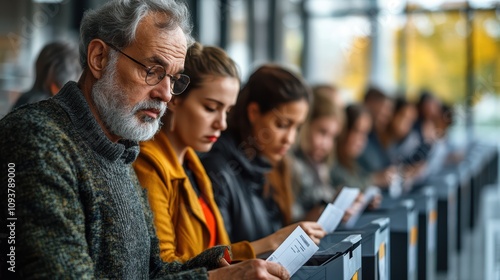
column 436, row 55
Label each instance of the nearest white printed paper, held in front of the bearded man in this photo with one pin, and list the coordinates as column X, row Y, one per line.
column 295, row 251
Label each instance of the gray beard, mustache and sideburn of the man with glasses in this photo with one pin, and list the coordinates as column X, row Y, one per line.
column 119, row 117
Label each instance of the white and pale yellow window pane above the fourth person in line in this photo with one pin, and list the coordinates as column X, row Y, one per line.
column 340, row 55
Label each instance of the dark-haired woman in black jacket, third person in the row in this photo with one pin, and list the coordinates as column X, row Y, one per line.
column 261, row 129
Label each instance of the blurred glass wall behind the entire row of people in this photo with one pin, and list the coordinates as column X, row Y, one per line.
column 449, row 47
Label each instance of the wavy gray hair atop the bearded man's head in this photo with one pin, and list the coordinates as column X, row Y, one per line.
column 116, row 22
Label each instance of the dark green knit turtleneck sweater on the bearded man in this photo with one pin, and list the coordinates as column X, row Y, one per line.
column 80, row 211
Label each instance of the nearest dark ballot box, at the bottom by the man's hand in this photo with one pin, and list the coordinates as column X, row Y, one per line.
column 341, row 260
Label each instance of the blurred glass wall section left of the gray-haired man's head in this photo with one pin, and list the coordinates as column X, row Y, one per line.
column 25, row 27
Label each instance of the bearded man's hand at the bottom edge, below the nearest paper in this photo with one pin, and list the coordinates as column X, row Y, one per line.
column 250, row 269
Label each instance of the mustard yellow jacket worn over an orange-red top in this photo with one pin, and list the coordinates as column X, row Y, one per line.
column 178, row 216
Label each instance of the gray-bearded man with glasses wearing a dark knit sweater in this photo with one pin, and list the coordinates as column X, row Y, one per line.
column 74, row 205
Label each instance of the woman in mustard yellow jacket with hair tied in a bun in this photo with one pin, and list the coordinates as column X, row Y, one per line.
column 186, row 216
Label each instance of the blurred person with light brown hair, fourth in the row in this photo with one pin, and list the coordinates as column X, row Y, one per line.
column 313, row 157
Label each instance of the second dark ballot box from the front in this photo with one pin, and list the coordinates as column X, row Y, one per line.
column 375, row 247
